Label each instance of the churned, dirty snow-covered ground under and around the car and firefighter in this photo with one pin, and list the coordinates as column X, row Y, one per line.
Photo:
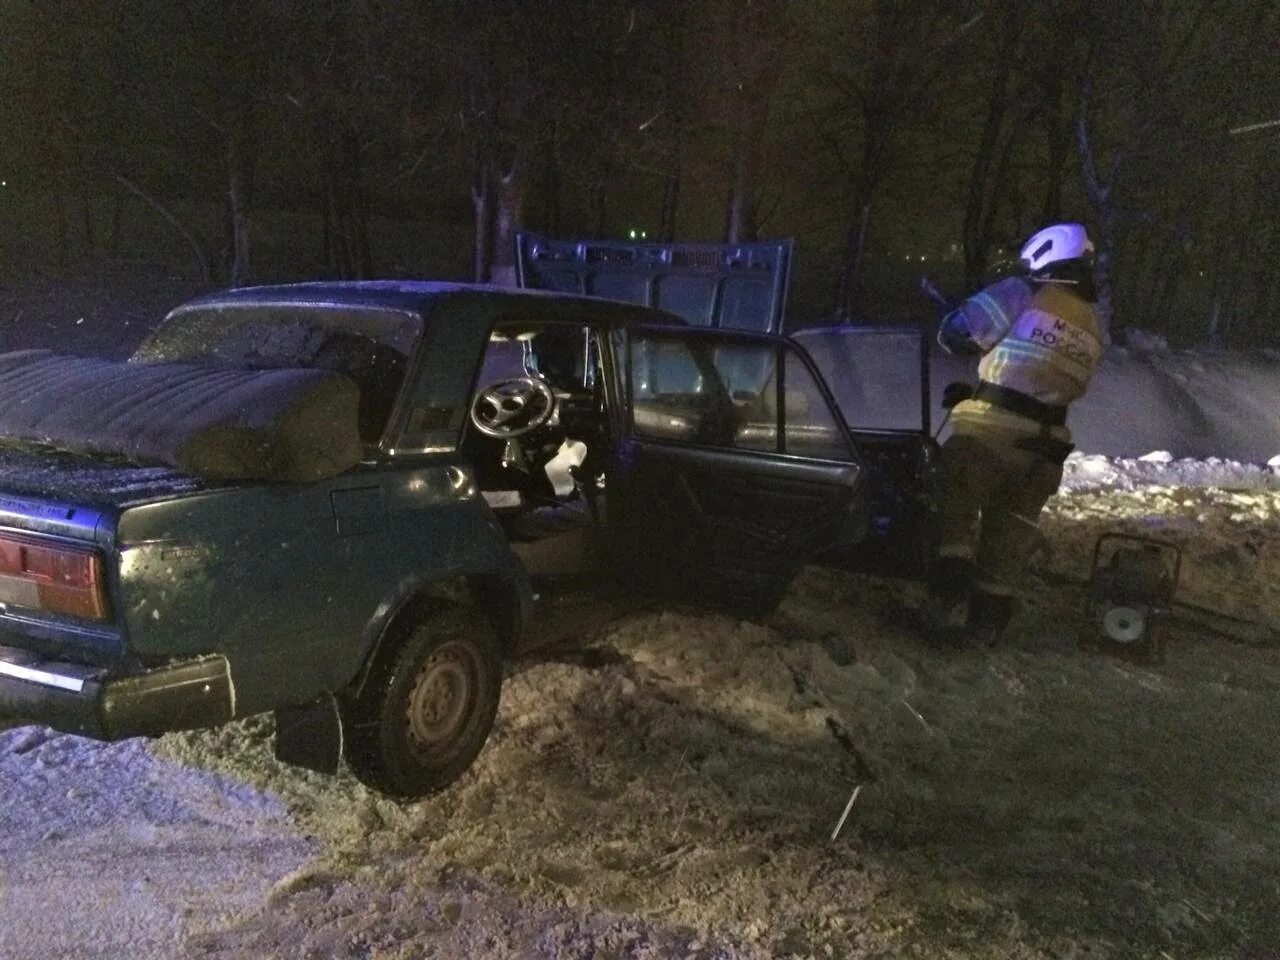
column 673, row 792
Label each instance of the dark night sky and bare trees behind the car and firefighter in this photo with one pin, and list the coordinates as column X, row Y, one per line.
column 355, row 138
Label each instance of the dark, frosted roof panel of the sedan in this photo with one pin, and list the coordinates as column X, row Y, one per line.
column 418, row 296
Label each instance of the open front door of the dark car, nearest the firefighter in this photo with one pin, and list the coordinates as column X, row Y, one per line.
column 880, row 378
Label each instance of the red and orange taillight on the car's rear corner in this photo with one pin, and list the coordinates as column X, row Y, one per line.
column 52, row 577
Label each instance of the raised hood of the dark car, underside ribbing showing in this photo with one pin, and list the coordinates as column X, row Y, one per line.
column 738, row 286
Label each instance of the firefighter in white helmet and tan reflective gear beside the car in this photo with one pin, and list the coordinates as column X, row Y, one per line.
column 1040, row 342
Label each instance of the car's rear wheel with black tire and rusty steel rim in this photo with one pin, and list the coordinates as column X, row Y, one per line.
column 428, row 706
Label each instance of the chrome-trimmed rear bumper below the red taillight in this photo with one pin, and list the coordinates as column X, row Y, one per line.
column 93, row 702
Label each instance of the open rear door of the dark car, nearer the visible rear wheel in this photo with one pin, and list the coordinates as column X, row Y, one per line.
column 735, row 468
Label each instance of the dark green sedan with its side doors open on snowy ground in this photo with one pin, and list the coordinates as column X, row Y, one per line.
column 350, row 504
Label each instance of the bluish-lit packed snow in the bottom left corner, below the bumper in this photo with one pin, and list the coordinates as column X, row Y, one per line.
column 107, row 852
